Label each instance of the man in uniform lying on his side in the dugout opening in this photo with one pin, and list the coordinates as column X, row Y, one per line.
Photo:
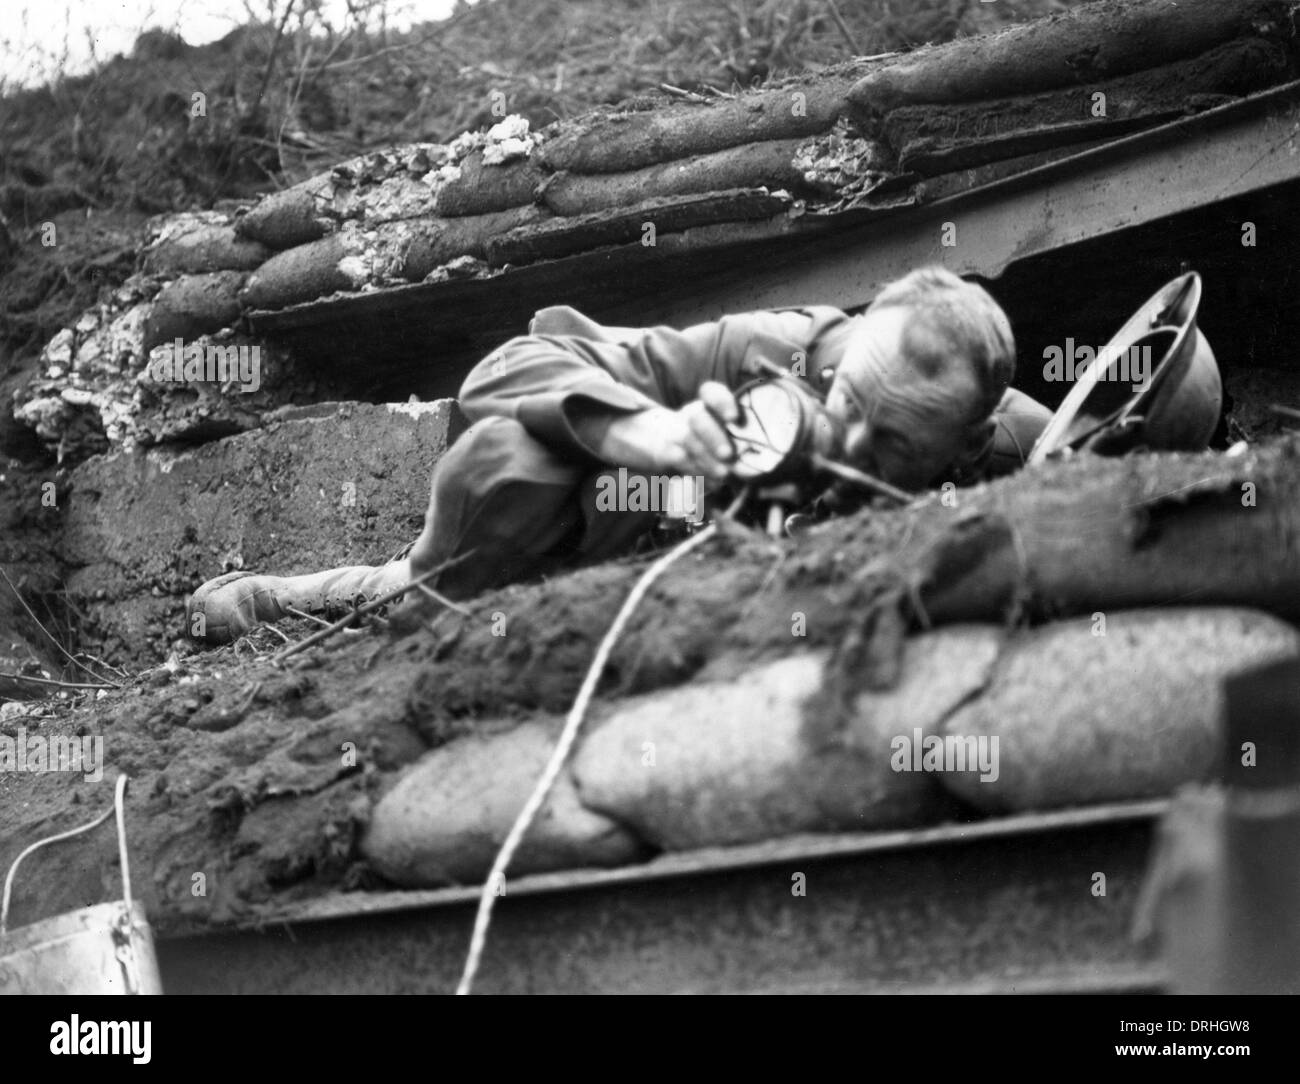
column 917, row 392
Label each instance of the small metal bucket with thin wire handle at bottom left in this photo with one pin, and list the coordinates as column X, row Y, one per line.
column 107, row 949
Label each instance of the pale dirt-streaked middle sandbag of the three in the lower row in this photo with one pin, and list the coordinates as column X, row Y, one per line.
column 742, row 761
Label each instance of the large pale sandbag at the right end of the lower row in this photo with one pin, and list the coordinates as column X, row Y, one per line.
column 1130, row 714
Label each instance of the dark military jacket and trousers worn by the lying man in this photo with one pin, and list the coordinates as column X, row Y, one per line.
column 519, row 487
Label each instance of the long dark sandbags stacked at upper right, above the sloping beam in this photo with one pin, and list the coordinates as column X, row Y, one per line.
column 1097, row 72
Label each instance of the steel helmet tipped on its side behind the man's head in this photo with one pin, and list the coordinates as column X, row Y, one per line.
column 1178, row 406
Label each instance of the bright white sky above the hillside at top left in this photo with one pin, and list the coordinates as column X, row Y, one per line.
column 40, row 37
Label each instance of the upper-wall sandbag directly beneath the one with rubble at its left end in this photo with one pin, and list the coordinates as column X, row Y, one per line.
column 769, row 163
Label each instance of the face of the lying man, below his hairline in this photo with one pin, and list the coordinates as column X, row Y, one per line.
column 903, row 424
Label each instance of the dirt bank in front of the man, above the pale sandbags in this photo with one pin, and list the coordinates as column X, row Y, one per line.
column 261, row 779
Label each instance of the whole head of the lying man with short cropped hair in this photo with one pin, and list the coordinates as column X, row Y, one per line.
column 921, row 378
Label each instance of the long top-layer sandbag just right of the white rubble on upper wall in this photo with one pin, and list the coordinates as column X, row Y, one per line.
column 618, row 142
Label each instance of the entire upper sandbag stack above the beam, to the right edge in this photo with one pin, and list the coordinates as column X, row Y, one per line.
column 512, row 197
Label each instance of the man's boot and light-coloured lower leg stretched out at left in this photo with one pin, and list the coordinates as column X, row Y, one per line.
column 233, row 605
